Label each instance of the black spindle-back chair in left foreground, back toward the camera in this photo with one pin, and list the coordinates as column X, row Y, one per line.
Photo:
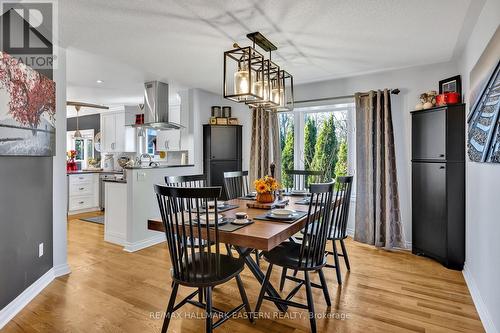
column 201, row 267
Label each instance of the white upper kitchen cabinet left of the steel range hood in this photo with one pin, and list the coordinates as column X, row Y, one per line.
column 115, row 136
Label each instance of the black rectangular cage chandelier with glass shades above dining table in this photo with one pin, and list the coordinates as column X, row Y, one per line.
column 258, row 82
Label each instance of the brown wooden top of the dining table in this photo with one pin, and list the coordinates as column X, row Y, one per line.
column 262, row 234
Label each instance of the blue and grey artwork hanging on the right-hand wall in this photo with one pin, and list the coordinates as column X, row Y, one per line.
column 483, row 142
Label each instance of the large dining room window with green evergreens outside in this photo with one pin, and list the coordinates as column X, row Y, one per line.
column 317, row 138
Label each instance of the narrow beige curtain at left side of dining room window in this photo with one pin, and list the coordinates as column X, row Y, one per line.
column 260, row 145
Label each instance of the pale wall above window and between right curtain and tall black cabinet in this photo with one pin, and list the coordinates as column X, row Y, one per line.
column 412, row 82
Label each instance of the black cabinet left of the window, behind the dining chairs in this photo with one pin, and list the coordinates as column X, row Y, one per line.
column 222, row 148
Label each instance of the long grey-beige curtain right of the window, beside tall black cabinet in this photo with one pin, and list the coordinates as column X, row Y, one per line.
column 378, row 217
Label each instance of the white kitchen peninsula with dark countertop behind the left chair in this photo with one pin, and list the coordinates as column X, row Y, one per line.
column 131, row 202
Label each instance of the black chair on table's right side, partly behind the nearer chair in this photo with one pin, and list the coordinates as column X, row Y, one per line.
column 338, row 232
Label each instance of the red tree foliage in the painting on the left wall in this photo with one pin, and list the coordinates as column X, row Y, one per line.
column 31, row 94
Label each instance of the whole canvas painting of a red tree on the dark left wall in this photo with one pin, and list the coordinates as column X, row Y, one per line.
column 27, row 110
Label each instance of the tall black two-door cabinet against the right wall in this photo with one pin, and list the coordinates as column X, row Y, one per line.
column 438, row 184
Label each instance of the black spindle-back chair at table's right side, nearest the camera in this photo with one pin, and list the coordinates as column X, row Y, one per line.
column 307, row 256
